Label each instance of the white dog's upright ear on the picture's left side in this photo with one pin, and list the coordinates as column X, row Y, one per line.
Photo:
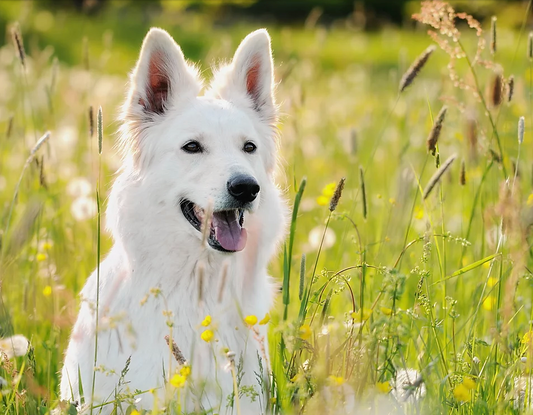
column 161, row 77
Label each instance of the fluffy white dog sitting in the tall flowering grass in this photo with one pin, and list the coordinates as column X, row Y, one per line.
column 185, row 155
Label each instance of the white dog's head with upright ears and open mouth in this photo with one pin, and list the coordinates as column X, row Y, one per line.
column 192, row 152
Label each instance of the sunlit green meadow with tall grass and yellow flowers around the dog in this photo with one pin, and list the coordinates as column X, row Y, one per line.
column 413, row 294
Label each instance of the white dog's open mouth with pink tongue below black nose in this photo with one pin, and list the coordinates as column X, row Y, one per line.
column 226, row 234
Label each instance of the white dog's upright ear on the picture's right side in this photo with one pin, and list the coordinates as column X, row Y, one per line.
column 249, row 79
